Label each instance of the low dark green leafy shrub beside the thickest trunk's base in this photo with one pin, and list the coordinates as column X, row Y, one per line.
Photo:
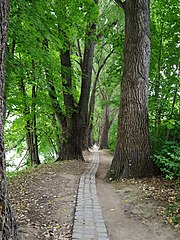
column 168, row 160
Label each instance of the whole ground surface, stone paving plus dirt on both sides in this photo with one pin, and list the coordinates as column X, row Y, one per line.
column 70, row 200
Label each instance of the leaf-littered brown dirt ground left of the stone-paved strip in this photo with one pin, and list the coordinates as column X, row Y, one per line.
column 43, row 200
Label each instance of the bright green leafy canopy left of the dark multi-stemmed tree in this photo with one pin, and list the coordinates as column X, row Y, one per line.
column 31, row 25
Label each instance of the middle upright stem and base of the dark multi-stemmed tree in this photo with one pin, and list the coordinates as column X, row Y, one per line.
column 71, row 147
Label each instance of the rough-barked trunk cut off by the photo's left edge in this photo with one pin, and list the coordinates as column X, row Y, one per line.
column 8, row 229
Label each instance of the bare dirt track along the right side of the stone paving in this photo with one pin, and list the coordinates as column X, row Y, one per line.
column 127, row 213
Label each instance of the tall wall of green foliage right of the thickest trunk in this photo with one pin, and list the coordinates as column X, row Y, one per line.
column 163, row 88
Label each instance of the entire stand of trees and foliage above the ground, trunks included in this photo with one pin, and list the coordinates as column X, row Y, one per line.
column 72, row 67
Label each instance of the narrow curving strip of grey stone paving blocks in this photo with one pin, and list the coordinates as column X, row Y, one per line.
column 88, row 221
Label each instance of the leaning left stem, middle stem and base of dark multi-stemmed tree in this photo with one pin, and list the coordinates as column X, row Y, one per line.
column 67, row 121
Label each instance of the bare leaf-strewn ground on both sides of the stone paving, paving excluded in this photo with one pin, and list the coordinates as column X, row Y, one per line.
column 43, row 200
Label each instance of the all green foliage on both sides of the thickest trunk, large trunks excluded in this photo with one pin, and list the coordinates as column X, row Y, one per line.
column 33, row 69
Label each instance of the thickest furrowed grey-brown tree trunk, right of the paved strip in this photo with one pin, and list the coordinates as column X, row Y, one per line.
column 132, row 154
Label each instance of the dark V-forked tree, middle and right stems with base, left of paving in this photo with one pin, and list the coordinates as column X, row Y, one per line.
column 75, row 120
